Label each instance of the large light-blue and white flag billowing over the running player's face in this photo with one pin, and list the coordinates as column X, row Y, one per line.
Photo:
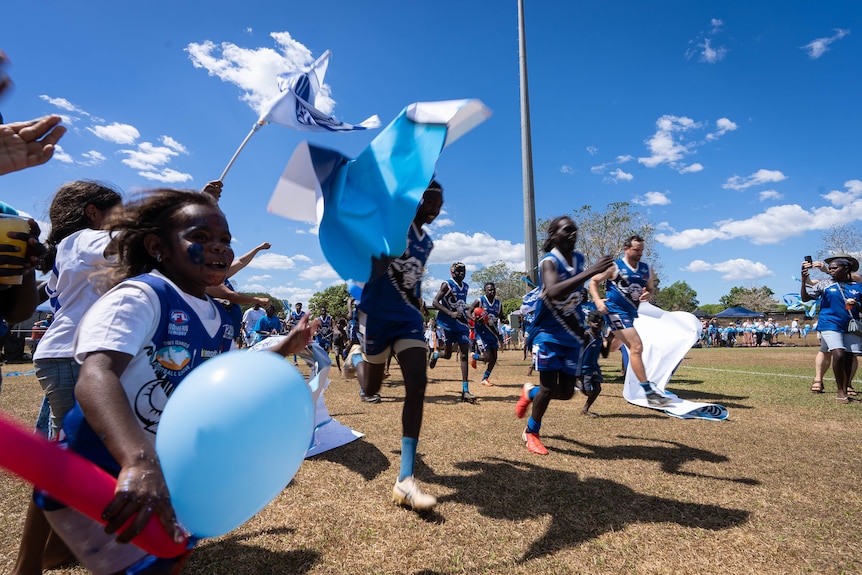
column 364, row 206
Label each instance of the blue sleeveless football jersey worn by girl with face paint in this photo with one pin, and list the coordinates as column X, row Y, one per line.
column 181, row 342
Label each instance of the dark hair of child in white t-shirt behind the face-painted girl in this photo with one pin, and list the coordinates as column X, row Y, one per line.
column 68, row 212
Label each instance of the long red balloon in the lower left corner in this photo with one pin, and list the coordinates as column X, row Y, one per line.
column 72, row 480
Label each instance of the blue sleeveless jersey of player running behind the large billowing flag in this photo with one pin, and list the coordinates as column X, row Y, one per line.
column 397, row 293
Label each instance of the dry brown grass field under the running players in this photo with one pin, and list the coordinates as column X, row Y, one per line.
column 772, row 490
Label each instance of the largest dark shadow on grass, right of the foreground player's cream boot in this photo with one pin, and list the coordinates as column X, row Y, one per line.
column 579, row 510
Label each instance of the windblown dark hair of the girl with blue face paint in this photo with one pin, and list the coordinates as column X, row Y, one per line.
column 152, row 213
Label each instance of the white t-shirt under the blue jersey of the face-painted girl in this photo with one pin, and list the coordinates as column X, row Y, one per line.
column 125, row 320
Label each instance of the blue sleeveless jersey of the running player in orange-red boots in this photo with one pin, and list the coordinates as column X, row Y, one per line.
column 560, row 322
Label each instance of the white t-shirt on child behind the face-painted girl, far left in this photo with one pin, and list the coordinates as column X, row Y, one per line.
column 70, row 290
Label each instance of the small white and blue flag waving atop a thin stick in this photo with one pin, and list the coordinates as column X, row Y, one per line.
column 296, row 106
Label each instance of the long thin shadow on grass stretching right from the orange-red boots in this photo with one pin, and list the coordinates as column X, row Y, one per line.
column 672, row 455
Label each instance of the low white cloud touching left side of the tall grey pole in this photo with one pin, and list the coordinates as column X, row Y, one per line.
column 479, row 248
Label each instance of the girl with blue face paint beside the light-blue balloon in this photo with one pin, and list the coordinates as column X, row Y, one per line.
column 142, row 338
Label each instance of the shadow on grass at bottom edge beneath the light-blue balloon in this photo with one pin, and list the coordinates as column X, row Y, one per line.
column 231, row 556
